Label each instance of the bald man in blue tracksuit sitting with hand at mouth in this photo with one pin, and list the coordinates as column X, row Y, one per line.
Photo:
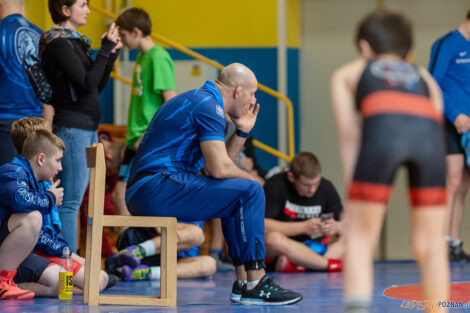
column 185, row 138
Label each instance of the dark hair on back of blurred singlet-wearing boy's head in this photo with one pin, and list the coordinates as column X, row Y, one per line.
column 386, row 31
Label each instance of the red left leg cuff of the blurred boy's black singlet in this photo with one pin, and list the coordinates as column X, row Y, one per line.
column 370, row 192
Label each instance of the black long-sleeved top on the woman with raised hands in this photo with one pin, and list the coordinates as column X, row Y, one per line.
column 77, row 80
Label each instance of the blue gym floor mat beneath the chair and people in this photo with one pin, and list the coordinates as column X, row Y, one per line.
column 322, row 293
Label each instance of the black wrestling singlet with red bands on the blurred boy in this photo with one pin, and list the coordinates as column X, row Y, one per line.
column 401, row 127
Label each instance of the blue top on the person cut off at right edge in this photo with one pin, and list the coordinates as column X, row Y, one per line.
column 450, row 66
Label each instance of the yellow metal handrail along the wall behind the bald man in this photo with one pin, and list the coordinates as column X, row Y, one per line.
column 290, row 109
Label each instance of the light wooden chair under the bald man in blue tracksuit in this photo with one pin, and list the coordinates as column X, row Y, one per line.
column 97, row 220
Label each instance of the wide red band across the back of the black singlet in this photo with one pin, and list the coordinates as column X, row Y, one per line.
column 383, row 102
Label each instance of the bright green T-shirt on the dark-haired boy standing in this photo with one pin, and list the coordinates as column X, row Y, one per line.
column 153, row 73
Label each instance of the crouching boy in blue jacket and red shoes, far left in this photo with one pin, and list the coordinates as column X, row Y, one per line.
column 22, row 201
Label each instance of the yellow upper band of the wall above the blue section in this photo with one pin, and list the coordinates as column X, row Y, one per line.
column 197, row 23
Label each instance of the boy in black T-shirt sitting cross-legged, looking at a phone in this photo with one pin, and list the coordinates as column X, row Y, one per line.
column 301, row 206
